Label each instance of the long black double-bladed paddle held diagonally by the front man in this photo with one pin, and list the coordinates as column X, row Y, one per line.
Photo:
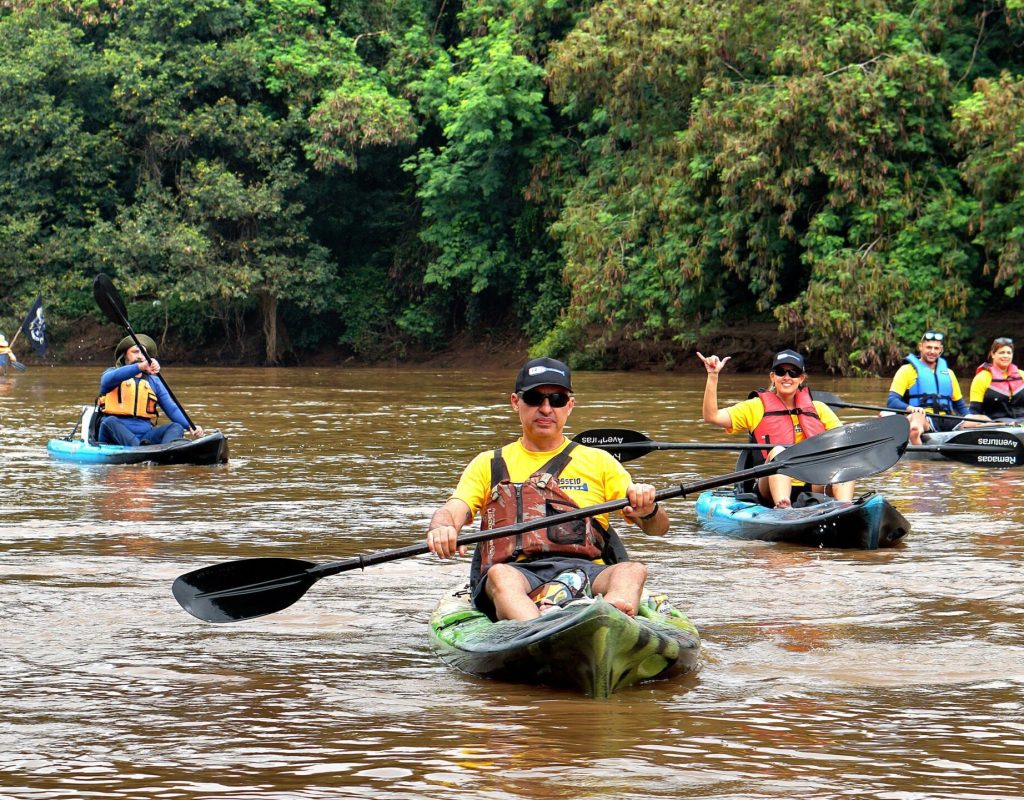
column 254, row 587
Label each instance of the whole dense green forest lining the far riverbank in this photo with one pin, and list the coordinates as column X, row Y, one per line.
column 595, row 179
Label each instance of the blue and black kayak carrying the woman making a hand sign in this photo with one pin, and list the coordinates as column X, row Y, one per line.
column 868, row 523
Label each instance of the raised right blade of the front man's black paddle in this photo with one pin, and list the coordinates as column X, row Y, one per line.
column 847, row 453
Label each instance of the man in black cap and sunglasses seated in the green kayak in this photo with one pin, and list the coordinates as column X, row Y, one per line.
column 544, row 474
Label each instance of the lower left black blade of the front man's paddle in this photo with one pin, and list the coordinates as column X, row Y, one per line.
column 243, row 590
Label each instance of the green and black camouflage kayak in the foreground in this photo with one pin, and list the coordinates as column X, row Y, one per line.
column 589, row 646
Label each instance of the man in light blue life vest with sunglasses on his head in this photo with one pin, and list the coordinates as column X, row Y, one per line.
column 927, row 389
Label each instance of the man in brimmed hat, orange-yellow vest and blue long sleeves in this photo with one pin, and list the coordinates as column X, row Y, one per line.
column 130, row 396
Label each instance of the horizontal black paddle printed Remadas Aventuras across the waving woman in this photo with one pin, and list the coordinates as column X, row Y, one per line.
column 978, row 447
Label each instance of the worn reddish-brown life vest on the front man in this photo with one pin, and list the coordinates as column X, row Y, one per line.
column 539, row 496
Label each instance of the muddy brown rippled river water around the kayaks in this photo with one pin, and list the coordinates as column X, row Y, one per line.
column 891, row 675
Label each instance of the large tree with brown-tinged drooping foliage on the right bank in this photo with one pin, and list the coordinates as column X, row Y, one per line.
column 795, row 158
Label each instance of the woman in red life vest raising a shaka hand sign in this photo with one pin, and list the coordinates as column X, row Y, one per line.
column 786, row 414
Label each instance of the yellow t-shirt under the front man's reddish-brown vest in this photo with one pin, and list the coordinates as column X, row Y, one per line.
column 592, row 477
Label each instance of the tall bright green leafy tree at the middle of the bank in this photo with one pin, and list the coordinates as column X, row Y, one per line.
column 483, row 213
